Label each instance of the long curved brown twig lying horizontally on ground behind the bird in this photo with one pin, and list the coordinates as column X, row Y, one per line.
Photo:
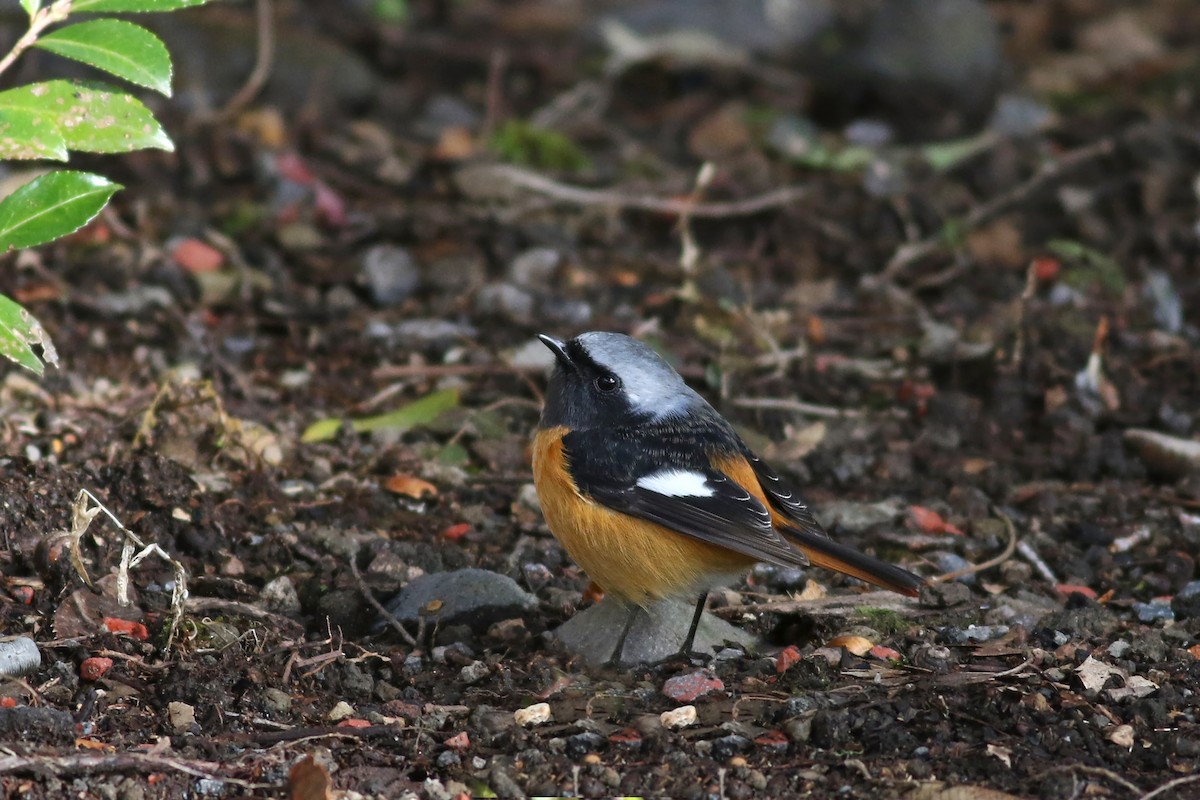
column 679, row 207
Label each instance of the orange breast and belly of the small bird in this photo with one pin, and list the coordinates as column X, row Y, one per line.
column 637, row 561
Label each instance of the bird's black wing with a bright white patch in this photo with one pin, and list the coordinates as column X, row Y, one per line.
column 662, row 476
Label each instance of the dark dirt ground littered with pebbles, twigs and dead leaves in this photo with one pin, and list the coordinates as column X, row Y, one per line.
column 977, row 359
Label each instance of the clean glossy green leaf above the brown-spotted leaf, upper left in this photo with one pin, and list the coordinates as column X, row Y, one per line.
column 116, row 46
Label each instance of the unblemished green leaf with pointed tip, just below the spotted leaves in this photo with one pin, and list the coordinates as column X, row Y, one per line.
column 52, row 206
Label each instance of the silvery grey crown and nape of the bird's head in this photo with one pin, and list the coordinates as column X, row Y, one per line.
column 650, row 383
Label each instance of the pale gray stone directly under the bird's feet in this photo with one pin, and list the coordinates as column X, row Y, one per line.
column 657, row 634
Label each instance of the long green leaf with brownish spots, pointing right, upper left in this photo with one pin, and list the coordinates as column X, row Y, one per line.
column 91, row 117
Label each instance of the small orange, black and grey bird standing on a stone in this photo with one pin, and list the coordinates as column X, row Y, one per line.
column 656, row 496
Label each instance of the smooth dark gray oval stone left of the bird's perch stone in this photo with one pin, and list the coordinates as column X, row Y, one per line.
column 475, row 598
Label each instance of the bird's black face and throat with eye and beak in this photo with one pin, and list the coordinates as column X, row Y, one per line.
column 583, row 394
